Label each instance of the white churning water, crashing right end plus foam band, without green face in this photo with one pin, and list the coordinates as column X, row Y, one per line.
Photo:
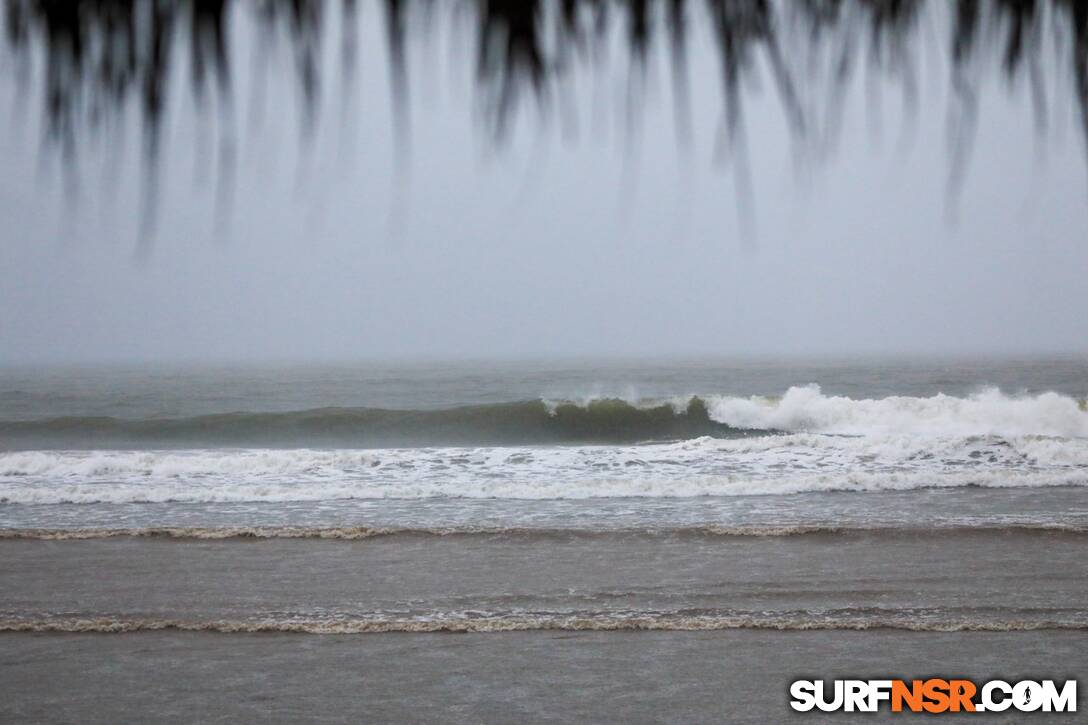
column 801, row 441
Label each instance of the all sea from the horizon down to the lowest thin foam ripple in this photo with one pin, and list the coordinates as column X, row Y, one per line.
column 487, row 497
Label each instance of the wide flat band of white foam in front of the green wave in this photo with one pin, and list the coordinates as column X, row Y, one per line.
column 780, row 464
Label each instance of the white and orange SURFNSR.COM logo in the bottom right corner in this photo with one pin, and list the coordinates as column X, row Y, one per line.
column 934, row 696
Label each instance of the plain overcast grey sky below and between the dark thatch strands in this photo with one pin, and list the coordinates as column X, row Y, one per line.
column 600, row 240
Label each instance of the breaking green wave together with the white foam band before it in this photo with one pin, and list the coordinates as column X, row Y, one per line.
column 693, row 447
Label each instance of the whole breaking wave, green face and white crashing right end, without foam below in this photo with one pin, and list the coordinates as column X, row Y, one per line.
column 596, row 421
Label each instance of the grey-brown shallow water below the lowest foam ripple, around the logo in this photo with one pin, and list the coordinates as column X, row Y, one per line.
column 737, row 677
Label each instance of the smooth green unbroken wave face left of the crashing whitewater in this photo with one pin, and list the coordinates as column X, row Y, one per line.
column 603, row 421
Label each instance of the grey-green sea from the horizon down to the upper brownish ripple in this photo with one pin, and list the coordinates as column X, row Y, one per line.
column 577, row 447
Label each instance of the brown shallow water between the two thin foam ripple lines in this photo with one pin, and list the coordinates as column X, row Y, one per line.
column 926, row 580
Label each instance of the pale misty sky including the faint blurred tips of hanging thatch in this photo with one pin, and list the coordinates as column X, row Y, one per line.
column 322, row 214
